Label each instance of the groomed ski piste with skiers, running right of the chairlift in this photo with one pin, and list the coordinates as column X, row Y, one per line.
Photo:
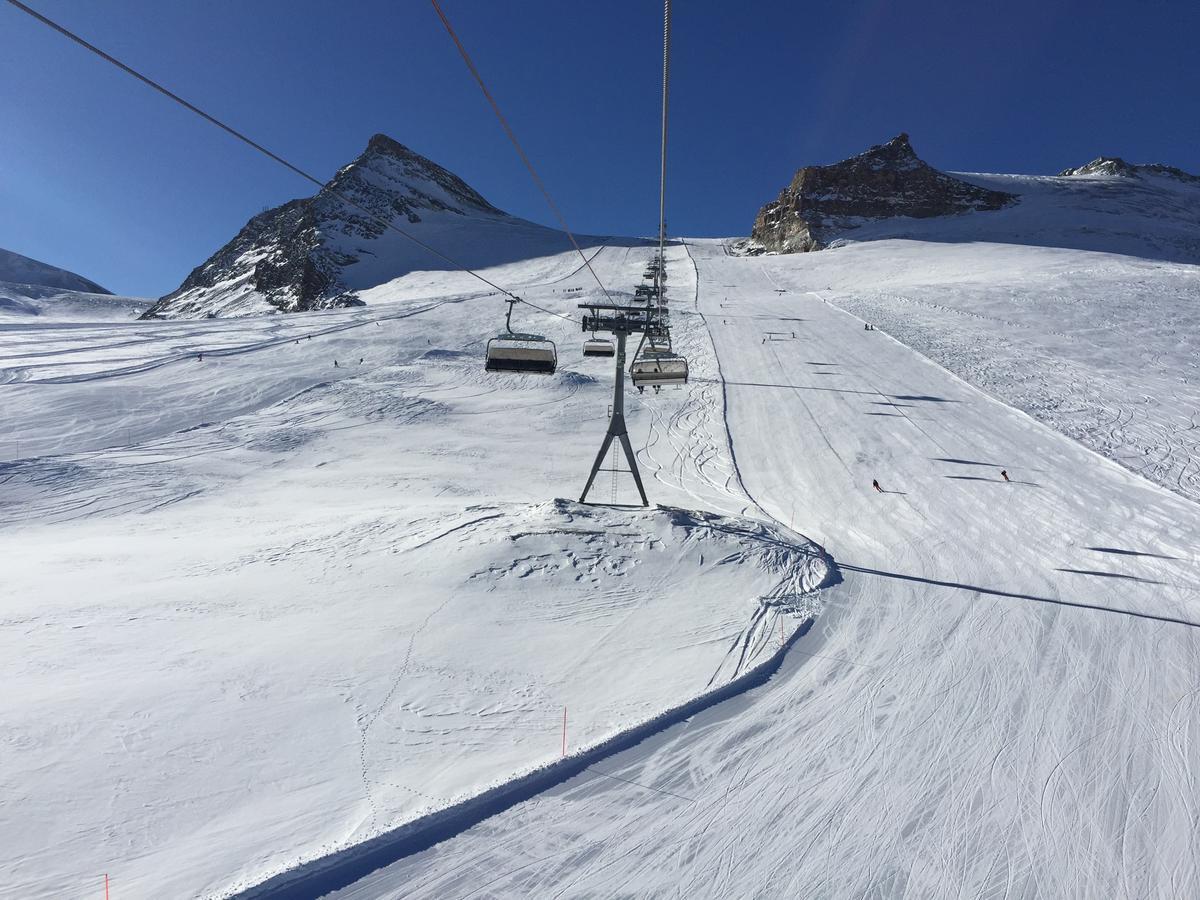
column 927, row 739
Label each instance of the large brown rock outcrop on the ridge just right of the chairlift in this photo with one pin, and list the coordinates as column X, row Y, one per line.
column 886, row 182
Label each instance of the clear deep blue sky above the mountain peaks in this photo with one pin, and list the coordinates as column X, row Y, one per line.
column 104, row 177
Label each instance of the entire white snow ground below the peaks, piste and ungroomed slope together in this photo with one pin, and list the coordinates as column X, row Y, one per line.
column 261, row 611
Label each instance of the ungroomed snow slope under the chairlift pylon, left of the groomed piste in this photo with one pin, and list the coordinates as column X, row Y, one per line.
column 260, row 608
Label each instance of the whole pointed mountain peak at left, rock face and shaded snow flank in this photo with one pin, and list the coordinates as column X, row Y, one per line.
column 322, row 253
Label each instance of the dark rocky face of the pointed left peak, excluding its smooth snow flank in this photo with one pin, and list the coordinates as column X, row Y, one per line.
column 293, row 257
